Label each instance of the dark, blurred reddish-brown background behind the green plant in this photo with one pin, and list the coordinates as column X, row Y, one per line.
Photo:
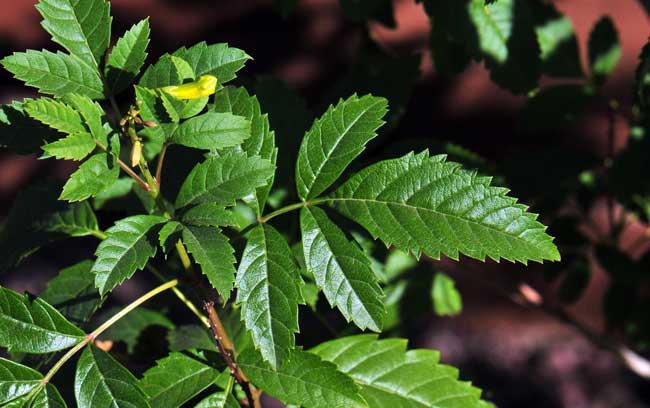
column 520, row 356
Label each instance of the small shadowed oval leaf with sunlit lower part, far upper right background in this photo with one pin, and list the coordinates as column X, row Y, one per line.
column 604, row 50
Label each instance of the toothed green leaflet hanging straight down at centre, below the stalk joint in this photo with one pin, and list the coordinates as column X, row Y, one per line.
column 268, row 290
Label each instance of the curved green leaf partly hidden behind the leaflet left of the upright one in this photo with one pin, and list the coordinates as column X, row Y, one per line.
column 261, row 141
